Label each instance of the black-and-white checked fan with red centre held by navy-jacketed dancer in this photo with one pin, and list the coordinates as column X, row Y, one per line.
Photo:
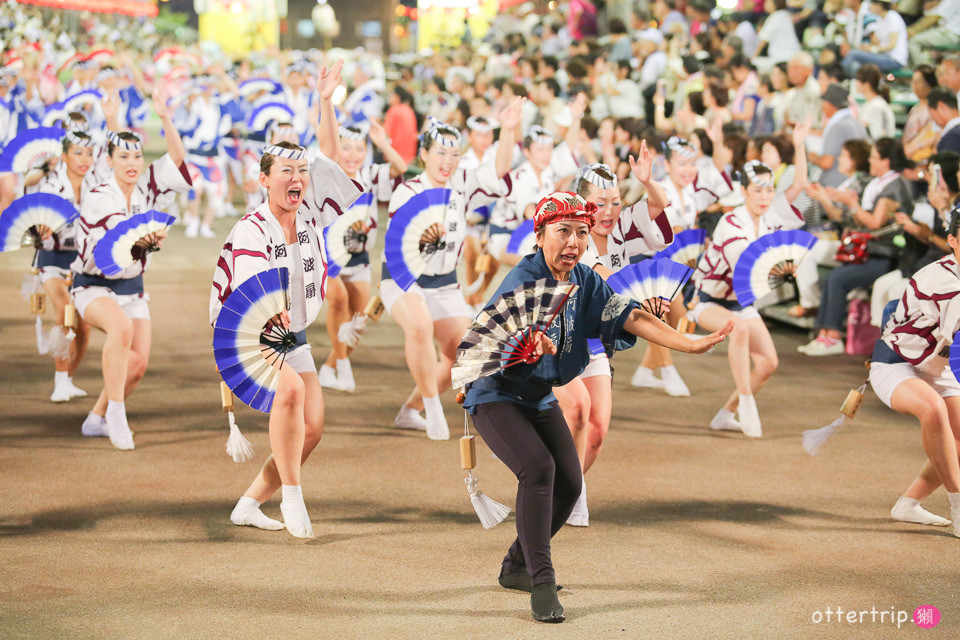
column 502, row 335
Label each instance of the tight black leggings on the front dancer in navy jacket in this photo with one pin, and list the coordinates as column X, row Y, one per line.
column 538, row 448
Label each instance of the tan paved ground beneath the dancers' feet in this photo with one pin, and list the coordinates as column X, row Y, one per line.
column 693, row 534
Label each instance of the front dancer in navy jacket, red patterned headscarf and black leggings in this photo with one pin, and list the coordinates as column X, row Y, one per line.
column 515, row 410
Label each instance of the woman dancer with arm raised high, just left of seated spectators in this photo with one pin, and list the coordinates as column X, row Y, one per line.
column 762, row 213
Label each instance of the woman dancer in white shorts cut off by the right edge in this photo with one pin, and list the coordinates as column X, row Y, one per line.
column 910, row 374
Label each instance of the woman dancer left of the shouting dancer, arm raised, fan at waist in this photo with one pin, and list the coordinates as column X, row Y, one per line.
column 117, row 305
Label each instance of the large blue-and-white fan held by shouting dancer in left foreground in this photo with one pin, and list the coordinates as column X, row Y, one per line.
column 248, row 354
